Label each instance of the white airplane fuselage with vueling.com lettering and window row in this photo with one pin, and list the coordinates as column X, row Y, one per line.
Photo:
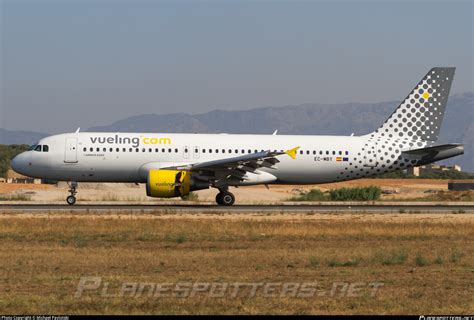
column 127, row 157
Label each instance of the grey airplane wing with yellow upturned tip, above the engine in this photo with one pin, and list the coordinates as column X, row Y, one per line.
column 235, row 167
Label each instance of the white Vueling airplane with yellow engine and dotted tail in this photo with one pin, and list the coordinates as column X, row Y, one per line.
column 173, row 165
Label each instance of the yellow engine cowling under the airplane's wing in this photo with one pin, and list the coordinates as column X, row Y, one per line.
column 168, row 183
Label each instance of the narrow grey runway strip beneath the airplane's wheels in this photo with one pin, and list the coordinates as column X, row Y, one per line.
column 283, row 208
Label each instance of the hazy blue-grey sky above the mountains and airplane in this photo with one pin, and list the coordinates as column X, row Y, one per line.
column 69, row 63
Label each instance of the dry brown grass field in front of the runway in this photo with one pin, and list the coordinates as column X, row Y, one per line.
column 425, row 262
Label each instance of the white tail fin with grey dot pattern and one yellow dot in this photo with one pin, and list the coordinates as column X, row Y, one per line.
column 420, row 115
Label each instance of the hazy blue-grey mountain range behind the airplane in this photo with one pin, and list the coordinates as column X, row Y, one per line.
column 328, row 119
